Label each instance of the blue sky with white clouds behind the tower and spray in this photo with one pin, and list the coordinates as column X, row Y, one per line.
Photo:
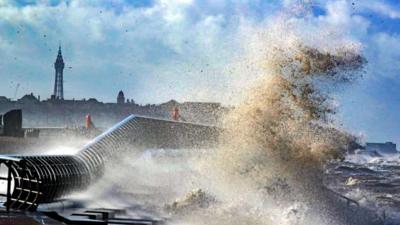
column 157, row 50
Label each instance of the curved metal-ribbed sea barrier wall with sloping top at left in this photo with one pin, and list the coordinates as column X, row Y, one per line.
column 31, row 180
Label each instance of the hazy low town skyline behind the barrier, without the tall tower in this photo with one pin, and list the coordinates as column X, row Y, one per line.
column 71, row 112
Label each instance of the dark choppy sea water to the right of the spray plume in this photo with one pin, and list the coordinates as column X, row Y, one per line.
column 371, row 179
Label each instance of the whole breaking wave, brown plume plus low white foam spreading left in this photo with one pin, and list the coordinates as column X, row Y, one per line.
column 268, row 167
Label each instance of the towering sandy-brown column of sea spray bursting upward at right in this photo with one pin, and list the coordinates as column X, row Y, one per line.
column 269, row 166
